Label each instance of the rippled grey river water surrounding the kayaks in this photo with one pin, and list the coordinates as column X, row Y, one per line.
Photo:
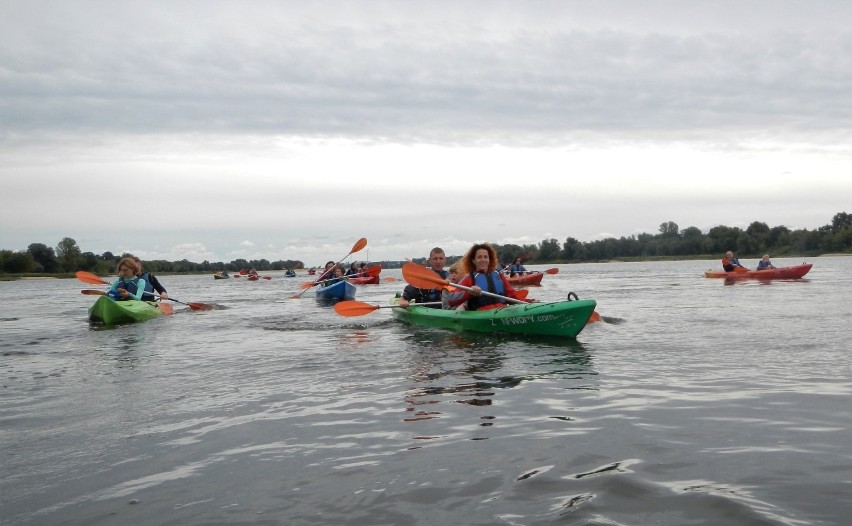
column 694, row 402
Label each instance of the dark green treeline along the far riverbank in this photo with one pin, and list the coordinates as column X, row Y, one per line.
column 670, row 242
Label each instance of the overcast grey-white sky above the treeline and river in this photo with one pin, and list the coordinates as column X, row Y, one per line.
column 215, row 130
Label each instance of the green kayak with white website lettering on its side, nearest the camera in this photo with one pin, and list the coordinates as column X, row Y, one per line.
column 561, row 318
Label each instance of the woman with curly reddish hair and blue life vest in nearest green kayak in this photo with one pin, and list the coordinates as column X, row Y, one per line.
column 480, row 265
